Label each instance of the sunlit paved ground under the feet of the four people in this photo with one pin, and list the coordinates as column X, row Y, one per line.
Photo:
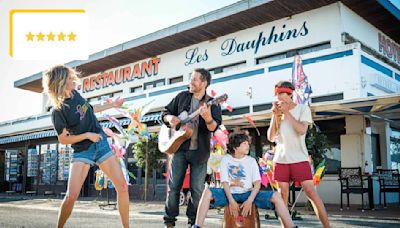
column 43, row 213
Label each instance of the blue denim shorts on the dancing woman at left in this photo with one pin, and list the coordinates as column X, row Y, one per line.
column 95, row 154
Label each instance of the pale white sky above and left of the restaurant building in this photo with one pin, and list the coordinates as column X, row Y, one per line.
column 109, row 25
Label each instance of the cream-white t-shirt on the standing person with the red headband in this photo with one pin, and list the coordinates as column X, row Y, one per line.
column 290, row 145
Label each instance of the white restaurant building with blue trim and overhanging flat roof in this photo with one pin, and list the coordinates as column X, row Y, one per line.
column 353, row 66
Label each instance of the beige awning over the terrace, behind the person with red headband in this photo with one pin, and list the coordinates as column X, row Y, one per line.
column 381, row 107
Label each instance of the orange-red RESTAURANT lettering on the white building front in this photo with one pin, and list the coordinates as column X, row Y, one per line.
column 121, row 75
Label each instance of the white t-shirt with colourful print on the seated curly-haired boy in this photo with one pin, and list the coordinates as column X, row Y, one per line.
column 239, row 173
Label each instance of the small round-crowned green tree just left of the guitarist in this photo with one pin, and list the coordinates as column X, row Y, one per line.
column 147, row 156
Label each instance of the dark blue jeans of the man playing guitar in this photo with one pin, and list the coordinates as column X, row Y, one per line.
column 177, row 172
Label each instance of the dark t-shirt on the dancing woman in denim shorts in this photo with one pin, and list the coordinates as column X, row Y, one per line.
column 77, row 116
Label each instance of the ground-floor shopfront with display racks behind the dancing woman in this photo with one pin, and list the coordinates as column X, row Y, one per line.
column 41, row 166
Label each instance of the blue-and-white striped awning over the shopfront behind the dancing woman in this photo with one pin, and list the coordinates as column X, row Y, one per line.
column 52, row 133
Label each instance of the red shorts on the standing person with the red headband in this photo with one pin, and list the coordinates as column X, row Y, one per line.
column 299, row 172
